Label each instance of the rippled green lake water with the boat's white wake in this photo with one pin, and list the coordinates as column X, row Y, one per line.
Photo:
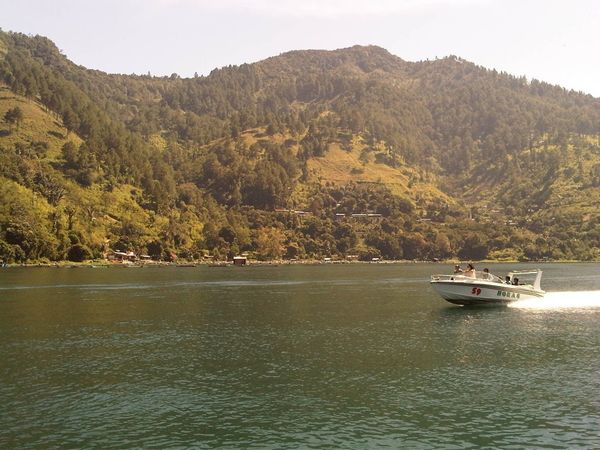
column 331, row 356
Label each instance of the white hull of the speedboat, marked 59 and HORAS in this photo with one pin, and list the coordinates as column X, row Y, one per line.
column 478, row 292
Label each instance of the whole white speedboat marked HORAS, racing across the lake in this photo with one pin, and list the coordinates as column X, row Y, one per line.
column 487, row 289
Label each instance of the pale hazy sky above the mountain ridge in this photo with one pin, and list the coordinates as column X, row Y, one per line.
column 556, row 40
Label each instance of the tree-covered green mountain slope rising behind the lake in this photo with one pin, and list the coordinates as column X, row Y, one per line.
column 303, row 155
